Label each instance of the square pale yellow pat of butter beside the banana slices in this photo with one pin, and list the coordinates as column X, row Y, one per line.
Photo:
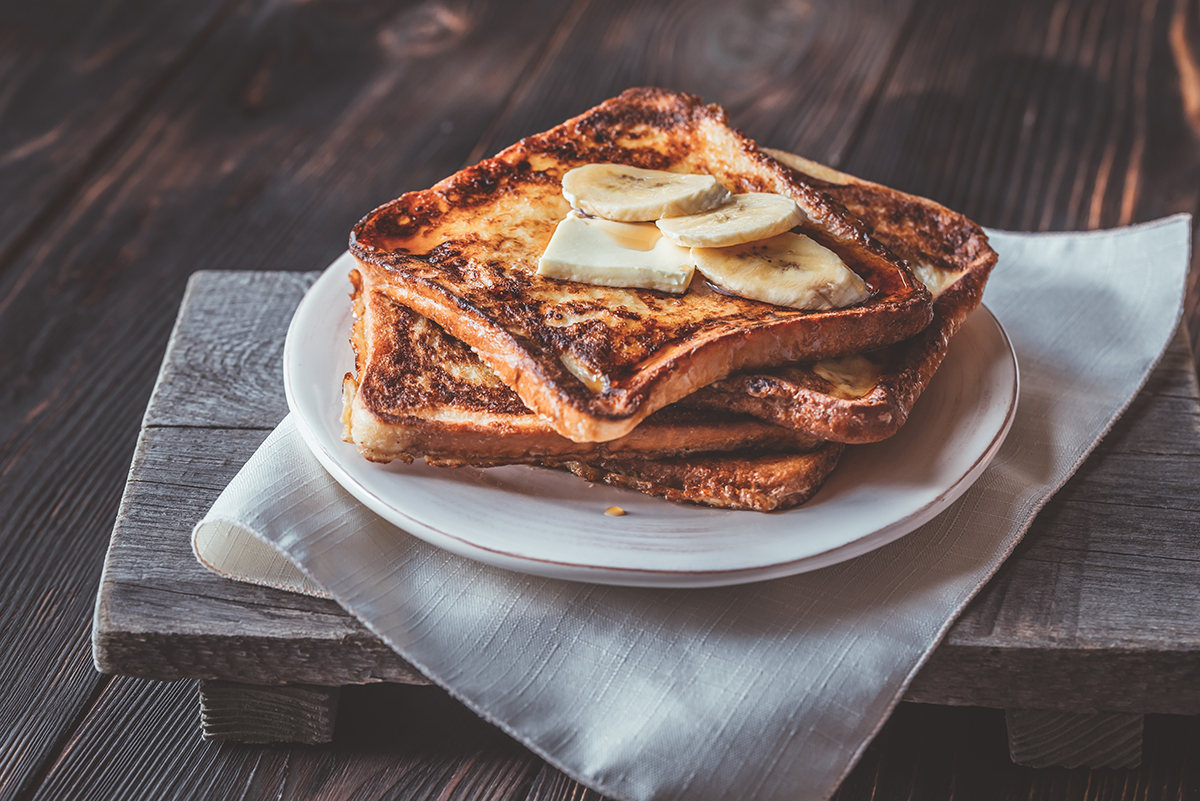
column 608, row 254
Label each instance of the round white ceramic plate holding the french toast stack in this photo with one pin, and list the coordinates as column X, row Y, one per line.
column 551, row 523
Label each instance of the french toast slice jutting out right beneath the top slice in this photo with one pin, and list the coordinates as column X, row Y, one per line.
column 867, row 398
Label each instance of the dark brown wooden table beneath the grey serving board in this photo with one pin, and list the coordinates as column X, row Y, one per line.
column 141, row 142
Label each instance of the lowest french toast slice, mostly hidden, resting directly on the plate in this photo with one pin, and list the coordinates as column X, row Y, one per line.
column 764, row 483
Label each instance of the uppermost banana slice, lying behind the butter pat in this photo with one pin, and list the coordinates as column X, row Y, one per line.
column 634, row 195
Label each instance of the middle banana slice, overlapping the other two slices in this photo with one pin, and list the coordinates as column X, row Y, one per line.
column 745, row 219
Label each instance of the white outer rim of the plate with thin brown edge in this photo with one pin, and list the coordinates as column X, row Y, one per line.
column 616, row 575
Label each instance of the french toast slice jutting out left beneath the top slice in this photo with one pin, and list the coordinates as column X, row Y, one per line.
column 418, row 393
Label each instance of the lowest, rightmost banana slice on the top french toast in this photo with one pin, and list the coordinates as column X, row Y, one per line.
column 785, row 270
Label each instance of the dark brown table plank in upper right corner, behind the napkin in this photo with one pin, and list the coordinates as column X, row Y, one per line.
column 1065, row 116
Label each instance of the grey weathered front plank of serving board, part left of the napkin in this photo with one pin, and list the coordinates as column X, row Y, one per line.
column 163, row 616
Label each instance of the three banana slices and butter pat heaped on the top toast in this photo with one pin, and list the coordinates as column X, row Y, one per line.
column 741, row 243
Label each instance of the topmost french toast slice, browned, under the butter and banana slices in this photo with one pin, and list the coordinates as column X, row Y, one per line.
column 597, row 362
